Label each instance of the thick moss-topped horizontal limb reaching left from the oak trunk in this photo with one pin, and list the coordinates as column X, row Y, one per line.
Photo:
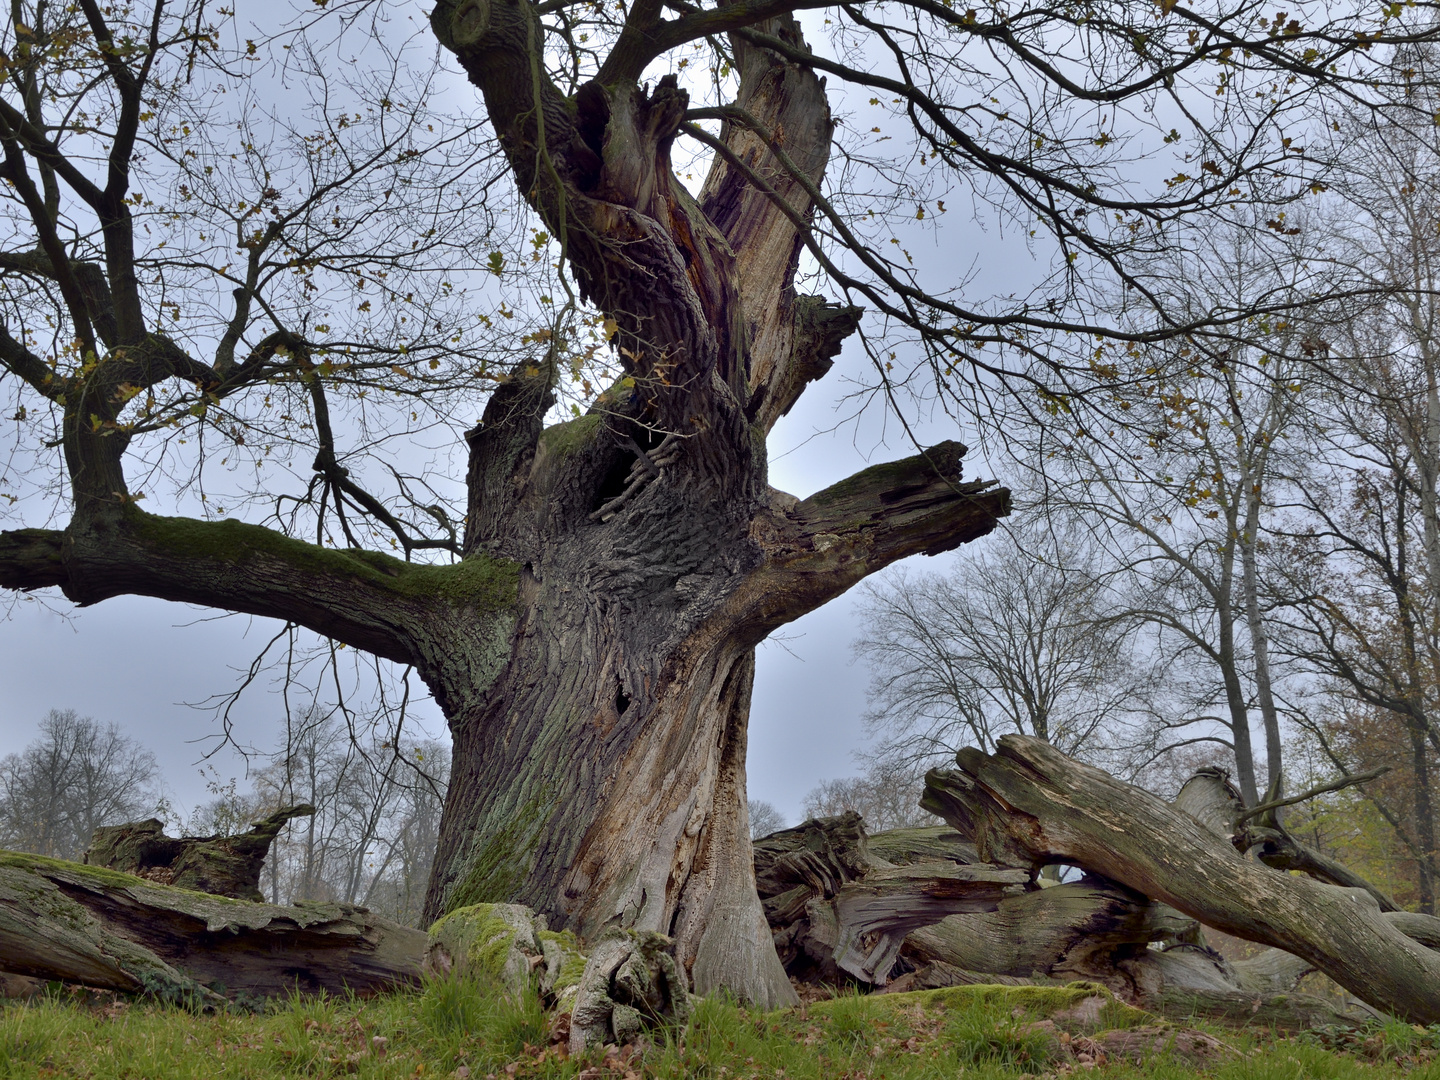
column 365, row 600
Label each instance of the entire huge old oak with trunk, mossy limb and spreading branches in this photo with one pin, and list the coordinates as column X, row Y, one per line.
column 220, row 254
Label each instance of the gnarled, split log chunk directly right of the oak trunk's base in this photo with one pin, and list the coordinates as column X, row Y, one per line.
column 836, row 905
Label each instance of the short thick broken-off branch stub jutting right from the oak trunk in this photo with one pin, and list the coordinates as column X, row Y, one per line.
column 819, row 548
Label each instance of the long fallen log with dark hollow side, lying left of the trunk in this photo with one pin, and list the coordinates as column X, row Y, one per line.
column 113, row 931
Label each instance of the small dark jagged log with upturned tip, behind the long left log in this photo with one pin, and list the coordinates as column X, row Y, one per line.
column 222, row 866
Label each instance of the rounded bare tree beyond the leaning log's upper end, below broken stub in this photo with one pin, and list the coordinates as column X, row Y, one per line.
column 1019, row 637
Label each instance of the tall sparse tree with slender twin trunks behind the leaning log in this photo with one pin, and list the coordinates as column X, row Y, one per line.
column 1176, row 499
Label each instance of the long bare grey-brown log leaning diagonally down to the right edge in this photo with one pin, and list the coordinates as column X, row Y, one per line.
column 1030, row 806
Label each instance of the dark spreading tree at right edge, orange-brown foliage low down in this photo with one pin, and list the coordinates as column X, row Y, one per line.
column 1362, row 601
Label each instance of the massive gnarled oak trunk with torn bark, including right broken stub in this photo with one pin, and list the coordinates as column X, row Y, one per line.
column 601, row 777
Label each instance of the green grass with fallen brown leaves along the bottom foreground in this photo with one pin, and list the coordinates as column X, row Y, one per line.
column 456, row 1029
